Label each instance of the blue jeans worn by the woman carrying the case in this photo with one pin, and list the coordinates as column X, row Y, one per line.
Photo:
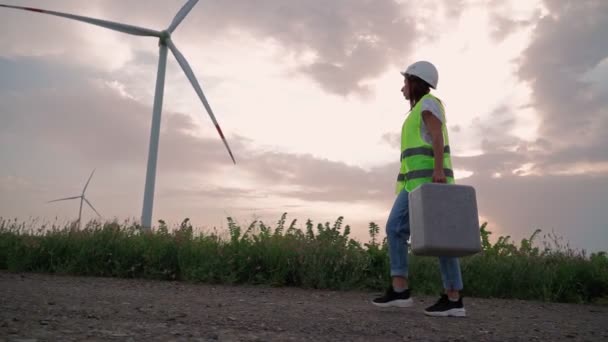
column 398, row 233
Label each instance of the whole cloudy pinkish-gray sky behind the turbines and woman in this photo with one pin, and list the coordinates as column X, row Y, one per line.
column 307, row 93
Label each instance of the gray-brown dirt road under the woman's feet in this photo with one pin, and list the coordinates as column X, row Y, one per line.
column 37, row 307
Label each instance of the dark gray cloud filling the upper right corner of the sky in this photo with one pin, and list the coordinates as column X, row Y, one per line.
column 563, row 49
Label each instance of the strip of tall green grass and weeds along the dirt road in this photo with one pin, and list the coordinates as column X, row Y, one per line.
column 320, row 256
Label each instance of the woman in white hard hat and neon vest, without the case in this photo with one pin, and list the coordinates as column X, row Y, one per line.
column 425, row 158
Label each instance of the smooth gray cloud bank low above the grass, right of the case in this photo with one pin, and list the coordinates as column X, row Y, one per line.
column 571, row 206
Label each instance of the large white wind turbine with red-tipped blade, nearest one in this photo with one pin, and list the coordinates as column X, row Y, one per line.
column 164, row 43
